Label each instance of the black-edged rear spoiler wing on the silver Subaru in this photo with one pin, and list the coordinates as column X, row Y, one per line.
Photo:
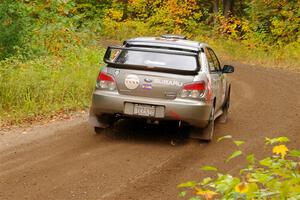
column 110, row 63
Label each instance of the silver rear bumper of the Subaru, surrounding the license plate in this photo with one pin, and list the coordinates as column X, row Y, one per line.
column 195, row 113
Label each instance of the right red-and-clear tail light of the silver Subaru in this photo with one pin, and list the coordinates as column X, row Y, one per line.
column 194, row 90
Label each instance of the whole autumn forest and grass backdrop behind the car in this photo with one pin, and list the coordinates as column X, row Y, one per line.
column 50, row 50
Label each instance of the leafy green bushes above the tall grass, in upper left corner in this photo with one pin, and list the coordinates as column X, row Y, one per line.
column 44, row 27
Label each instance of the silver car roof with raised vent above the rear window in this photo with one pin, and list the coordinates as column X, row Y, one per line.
column 170, row 41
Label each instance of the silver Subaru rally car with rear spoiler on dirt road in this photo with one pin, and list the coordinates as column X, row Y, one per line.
column 166, row 78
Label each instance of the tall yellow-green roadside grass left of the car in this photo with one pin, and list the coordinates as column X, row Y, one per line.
column 47, row 85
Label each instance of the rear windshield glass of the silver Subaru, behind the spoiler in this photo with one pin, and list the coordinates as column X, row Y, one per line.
column 161, row 60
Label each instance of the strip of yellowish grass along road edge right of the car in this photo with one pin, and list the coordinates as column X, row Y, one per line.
column 281, row 58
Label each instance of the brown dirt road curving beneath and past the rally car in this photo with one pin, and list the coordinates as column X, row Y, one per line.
column 66, row 160
